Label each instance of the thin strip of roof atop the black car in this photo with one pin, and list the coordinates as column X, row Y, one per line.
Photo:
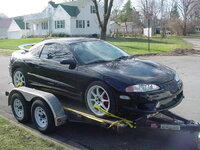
column 69, row 40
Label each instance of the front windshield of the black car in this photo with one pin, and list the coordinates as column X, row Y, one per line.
column 96, row 51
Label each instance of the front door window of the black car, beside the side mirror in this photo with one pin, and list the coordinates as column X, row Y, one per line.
column 56, row 52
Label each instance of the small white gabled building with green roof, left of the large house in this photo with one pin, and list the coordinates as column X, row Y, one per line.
column 17, row 29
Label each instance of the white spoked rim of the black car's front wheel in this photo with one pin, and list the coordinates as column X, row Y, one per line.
column 98, row 95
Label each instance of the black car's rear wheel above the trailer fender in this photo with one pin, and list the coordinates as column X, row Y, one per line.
column 20, row 76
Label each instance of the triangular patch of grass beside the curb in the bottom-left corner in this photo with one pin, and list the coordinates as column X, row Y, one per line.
column 13, row 137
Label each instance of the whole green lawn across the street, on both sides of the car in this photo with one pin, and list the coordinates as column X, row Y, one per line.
column 130, row 45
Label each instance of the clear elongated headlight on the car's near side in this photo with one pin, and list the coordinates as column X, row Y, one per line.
column 142, row 88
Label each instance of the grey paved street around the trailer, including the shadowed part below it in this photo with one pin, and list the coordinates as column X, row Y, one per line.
column 93, row 137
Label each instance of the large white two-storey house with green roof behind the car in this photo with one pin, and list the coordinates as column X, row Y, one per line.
column 74, row 18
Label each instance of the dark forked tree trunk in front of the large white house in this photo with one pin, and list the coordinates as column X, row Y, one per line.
column 107, row 4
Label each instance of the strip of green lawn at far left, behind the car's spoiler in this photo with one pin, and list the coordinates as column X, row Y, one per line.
column 14, row 43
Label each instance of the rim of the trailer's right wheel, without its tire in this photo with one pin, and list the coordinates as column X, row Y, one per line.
column 40, row 117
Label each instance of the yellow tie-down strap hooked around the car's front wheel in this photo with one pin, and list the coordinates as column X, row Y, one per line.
column 128, row 122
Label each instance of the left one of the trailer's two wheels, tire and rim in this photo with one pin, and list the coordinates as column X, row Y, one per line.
column 20, row 108
